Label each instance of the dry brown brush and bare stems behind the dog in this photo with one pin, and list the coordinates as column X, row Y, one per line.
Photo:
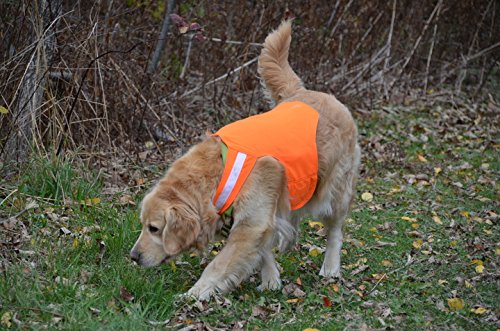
column 74, row 75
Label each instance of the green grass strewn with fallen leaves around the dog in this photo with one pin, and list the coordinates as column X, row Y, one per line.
column 412, row 255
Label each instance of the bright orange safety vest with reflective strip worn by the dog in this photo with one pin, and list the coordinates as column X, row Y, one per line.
column 287, row 133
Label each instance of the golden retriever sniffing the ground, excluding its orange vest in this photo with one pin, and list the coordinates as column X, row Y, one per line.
column 180, row 214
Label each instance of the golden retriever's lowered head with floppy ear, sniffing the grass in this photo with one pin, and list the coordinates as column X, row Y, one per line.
column 169, row 227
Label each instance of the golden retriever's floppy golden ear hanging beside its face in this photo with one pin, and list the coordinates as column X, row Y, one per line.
column 181, row 229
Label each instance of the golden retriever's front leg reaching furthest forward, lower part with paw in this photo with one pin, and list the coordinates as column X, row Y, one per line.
column 235, row 262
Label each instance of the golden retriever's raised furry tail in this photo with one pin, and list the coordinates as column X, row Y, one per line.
column 277, row 76
